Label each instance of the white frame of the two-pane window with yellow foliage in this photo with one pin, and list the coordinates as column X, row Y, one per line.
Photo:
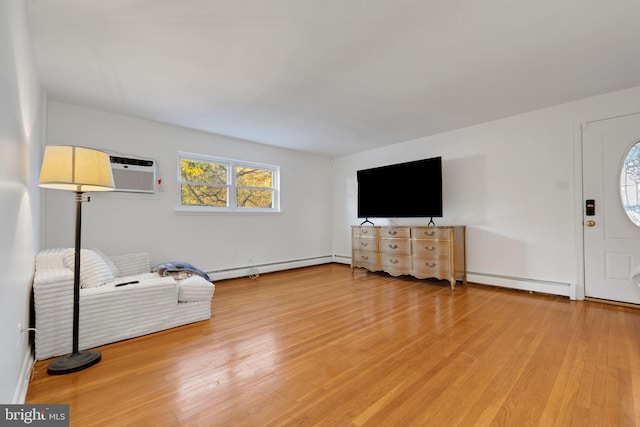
column 231, row 185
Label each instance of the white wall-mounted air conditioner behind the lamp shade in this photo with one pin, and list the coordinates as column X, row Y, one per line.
column 133, row 175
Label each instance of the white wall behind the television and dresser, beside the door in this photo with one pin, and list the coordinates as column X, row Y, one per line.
column 512, row 182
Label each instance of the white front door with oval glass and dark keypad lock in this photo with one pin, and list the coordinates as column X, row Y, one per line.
column 611, row 238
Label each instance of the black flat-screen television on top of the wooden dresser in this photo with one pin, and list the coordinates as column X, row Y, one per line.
column 411, row 189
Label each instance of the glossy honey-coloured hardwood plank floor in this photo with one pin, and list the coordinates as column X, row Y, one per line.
column 323, row 346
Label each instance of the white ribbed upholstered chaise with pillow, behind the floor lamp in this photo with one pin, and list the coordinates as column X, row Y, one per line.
column 110, row 313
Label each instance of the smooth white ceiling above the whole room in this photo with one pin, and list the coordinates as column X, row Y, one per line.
column 332, row 77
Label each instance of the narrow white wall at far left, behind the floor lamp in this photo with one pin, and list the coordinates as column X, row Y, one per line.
column 20, row 151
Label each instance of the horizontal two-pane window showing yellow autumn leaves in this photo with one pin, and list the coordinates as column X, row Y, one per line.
column 216, row 184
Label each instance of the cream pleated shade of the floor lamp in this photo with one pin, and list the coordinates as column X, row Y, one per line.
column 81, row 169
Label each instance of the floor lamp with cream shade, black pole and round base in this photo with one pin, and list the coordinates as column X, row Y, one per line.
column 76, row 169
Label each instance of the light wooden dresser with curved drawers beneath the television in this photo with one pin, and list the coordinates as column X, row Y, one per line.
column 422, row 252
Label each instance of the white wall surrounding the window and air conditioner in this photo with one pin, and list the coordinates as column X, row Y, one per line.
column 213, row 242
